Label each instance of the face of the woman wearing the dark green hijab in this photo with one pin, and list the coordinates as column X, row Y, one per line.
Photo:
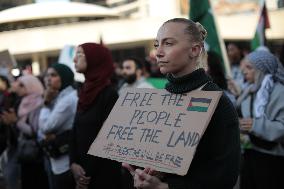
column 53, row 80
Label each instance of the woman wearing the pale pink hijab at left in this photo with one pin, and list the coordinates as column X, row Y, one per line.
column 31, row 90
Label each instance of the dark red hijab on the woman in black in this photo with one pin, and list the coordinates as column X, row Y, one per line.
column 97, row 76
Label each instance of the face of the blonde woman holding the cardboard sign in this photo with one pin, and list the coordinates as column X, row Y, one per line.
column 174, row 51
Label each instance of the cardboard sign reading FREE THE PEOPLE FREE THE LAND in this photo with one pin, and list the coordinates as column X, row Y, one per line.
column 155, row 128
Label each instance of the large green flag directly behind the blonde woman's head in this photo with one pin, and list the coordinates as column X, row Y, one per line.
column 200, row 11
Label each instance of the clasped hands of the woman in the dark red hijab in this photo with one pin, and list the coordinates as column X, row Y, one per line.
column 81, row 180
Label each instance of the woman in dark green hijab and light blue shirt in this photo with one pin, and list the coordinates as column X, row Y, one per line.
column 56, row 117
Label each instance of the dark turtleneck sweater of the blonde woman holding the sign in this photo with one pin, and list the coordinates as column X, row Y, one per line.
column 217, row 159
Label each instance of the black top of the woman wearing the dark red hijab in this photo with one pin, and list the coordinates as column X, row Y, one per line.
column 87, row 124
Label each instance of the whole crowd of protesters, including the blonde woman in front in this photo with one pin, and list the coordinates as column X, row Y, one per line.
column 48, row 123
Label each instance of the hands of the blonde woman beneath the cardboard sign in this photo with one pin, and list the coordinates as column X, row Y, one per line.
column 145, row 178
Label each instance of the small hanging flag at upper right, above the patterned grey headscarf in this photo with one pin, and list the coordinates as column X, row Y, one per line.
column 263, row 23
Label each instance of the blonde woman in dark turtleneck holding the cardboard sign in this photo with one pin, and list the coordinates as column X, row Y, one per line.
column 180, row 55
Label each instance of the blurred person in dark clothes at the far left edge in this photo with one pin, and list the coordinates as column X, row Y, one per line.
column 9, row 133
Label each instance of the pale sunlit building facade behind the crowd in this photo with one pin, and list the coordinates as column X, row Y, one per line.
column 127, row 27
